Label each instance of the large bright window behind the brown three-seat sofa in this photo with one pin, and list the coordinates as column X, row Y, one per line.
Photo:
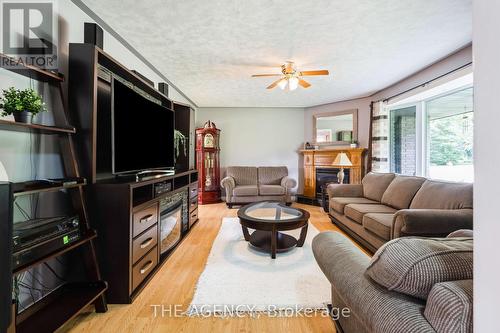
column 434, row 137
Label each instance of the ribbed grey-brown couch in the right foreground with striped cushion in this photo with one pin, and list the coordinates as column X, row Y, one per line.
column 411, row 284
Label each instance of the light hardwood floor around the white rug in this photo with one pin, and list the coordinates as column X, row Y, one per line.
column 175, row 283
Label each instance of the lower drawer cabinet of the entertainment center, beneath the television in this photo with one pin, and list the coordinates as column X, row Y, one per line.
column 127, row 216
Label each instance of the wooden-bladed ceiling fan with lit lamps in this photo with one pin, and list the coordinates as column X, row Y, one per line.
column 290, row 78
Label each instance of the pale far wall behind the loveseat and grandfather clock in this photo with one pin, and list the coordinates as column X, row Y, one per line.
column 258, row 136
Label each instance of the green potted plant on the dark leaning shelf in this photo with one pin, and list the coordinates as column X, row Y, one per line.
column 22, row 104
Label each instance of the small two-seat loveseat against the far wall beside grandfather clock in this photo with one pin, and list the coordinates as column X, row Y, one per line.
column 244, row 184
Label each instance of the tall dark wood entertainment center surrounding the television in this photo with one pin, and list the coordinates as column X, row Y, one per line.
column 139, row 221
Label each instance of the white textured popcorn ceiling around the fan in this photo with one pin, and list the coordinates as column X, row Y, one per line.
column 209, row 49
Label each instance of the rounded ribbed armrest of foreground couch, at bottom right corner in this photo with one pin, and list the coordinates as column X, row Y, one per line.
column 449, row 306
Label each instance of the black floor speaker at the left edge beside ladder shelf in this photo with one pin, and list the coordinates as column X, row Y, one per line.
column 5, row 255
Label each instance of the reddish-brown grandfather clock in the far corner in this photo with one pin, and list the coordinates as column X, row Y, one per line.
column 207, row 163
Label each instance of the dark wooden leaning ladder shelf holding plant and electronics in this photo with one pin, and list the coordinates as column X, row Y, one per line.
column 64, row 303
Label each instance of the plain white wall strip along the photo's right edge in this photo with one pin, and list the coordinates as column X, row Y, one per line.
column 486, row 165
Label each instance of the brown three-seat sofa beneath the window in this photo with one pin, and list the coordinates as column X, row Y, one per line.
column 387, row 206
